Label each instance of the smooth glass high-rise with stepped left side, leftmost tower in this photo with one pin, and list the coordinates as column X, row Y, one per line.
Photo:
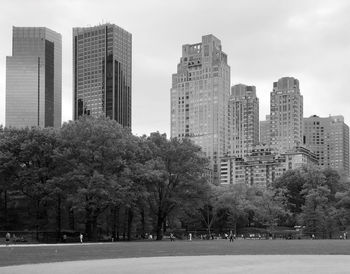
column 34, row 78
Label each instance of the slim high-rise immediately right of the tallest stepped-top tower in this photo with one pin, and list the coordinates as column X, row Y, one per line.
column 243, row 118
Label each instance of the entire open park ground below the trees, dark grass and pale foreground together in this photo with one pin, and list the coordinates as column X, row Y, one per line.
column 209, row 256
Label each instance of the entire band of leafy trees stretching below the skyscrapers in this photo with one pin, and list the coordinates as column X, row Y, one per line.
column 95, row 177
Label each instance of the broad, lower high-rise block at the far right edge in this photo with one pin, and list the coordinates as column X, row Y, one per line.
column 328, row 138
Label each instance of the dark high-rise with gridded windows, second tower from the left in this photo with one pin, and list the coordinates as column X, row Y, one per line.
column 102, row 73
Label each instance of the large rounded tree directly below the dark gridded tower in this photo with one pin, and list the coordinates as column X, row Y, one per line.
column 97, row 150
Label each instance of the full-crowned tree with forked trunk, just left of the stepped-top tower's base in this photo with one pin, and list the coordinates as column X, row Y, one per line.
column 175, row 177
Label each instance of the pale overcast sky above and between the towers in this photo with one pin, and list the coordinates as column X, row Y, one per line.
column 264, row 40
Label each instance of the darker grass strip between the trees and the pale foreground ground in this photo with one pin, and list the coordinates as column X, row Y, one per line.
column 15, row 255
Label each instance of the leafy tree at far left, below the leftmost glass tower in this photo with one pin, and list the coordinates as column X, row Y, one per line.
column 30, row 167
